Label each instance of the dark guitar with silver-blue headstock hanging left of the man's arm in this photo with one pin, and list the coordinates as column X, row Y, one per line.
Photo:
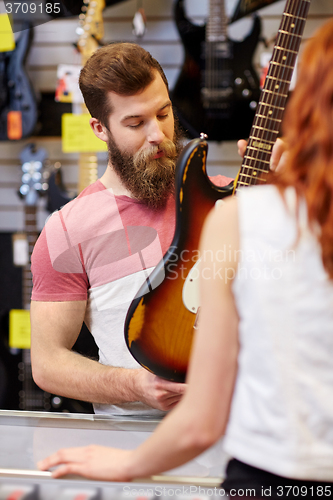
column 28, row 395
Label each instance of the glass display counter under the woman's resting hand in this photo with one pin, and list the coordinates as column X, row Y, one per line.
column 27, row 437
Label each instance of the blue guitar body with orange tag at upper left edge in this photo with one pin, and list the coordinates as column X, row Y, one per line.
column 18, row 107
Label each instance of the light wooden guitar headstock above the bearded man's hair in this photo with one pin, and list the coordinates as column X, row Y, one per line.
column 90, row 29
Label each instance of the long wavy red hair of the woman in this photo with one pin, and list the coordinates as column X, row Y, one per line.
column 308, row 130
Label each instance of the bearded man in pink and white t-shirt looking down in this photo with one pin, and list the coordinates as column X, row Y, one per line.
column 95, row 253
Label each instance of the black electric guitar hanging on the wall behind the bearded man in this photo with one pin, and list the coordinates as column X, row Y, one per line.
column 218, row 89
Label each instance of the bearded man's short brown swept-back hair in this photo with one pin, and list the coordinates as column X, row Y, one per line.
column 123, row 68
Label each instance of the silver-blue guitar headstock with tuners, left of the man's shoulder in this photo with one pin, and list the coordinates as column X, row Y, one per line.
column 34, row 179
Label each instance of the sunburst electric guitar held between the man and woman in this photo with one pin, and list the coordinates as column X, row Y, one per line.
column 160, row 320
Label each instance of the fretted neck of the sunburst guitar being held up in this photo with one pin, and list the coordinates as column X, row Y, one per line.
column 267, row 122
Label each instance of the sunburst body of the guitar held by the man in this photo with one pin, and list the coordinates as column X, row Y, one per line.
column 158, row 327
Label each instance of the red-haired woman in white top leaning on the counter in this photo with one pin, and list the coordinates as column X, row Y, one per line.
column 261, row 370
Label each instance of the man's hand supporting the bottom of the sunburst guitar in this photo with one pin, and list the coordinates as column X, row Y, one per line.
column 157, row 392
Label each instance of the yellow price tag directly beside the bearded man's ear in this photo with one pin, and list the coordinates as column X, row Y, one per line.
column 77, row 136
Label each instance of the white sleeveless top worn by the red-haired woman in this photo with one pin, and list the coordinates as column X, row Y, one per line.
column 282, row 411
